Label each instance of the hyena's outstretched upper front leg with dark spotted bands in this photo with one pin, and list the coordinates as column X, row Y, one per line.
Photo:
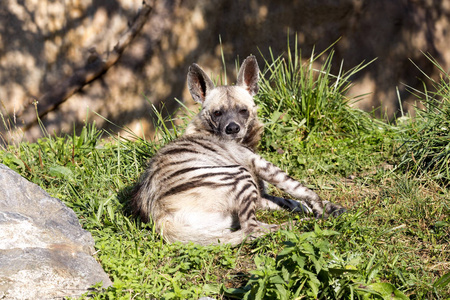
column 274, row 175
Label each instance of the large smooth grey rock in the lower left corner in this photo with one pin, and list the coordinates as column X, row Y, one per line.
column 44, row 252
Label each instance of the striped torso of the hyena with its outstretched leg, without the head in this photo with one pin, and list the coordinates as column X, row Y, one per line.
column 203, row 189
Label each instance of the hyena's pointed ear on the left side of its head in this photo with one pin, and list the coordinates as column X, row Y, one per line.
column 199, row 83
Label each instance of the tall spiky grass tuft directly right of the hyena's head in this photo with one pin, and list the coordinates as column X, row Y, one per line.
column 300, row 96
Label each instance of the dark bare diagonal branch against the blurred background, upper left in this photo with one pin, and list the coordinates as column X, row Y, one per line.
column 87, row 74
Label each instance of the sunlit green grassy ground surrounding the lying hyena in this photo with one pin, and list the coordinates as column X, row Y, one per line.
column 392, row 244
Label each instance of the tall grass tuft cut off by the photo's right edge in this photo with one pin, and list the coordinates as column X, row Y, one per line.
column 426, row 149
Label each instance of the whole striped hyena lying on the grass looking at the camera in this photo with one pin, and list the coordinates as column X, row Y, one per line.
column 206, row 186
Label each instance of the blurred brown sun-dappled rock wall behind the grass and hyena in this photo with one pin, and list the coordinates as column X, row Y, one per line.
column 43, row 43
